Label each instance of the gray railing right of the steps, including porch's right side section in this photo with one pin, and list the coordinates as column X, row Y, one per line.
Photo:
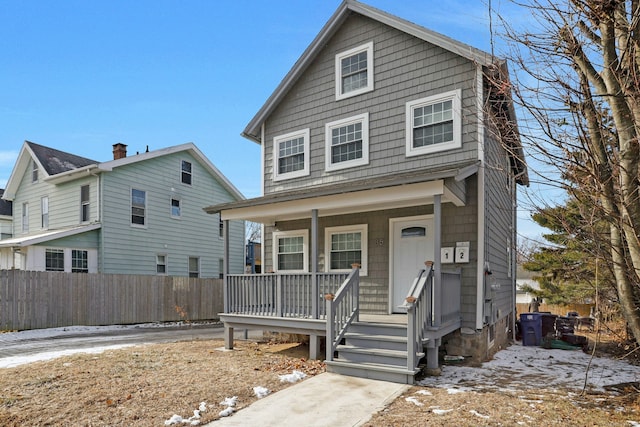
column 429, row 308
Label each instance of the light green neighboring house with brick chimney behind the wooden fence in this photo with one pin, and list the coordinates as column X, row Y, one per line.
column 137, row 214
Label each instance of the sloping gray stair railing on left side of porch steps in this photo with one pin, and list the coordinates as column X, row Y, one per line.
column 342, row 310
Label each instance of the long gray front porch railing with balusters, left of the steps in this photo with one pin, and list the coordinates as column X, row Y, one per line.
column 280, row 295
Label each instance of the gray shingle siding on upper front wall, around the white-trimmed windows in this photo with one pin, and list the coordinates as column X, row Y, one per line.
column 406, row 69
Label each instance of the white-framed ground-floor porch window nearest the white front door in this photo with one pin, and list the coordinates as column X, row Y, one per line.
column 345, row 246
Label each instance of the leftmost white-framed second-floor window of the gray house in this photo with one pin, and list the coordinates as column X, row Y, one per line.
column 292, row 155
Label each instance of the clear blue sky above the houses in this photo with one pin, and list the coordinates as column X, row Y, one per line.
column 80, row 76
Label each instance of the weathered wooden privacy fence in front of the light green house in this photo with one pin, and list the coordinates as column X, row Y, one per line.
column 35, row 299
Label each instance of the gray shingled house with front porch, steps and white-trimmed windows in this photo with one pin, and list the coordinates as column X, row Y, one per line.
column 385, row 146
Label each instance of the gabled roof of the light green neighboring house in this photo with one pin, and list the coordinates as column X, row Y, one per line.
column 60, row 166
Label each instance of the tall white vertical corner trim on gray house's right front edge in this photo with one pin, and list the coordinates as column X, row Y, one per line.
column 480, row 276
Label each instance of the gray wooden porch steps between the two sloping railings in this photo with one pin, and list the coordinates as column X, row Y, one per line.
column 375, row 351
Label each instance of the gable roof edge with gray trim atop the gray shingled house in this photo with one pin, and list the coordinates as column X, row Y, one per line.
column 252, row 130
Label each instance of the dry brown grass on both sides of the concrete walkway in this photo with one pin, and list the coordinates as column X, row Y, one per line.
column 147, row 385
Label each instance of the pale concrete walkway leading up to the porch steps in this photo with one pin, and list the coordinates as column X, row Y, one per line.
column 324, row 400
